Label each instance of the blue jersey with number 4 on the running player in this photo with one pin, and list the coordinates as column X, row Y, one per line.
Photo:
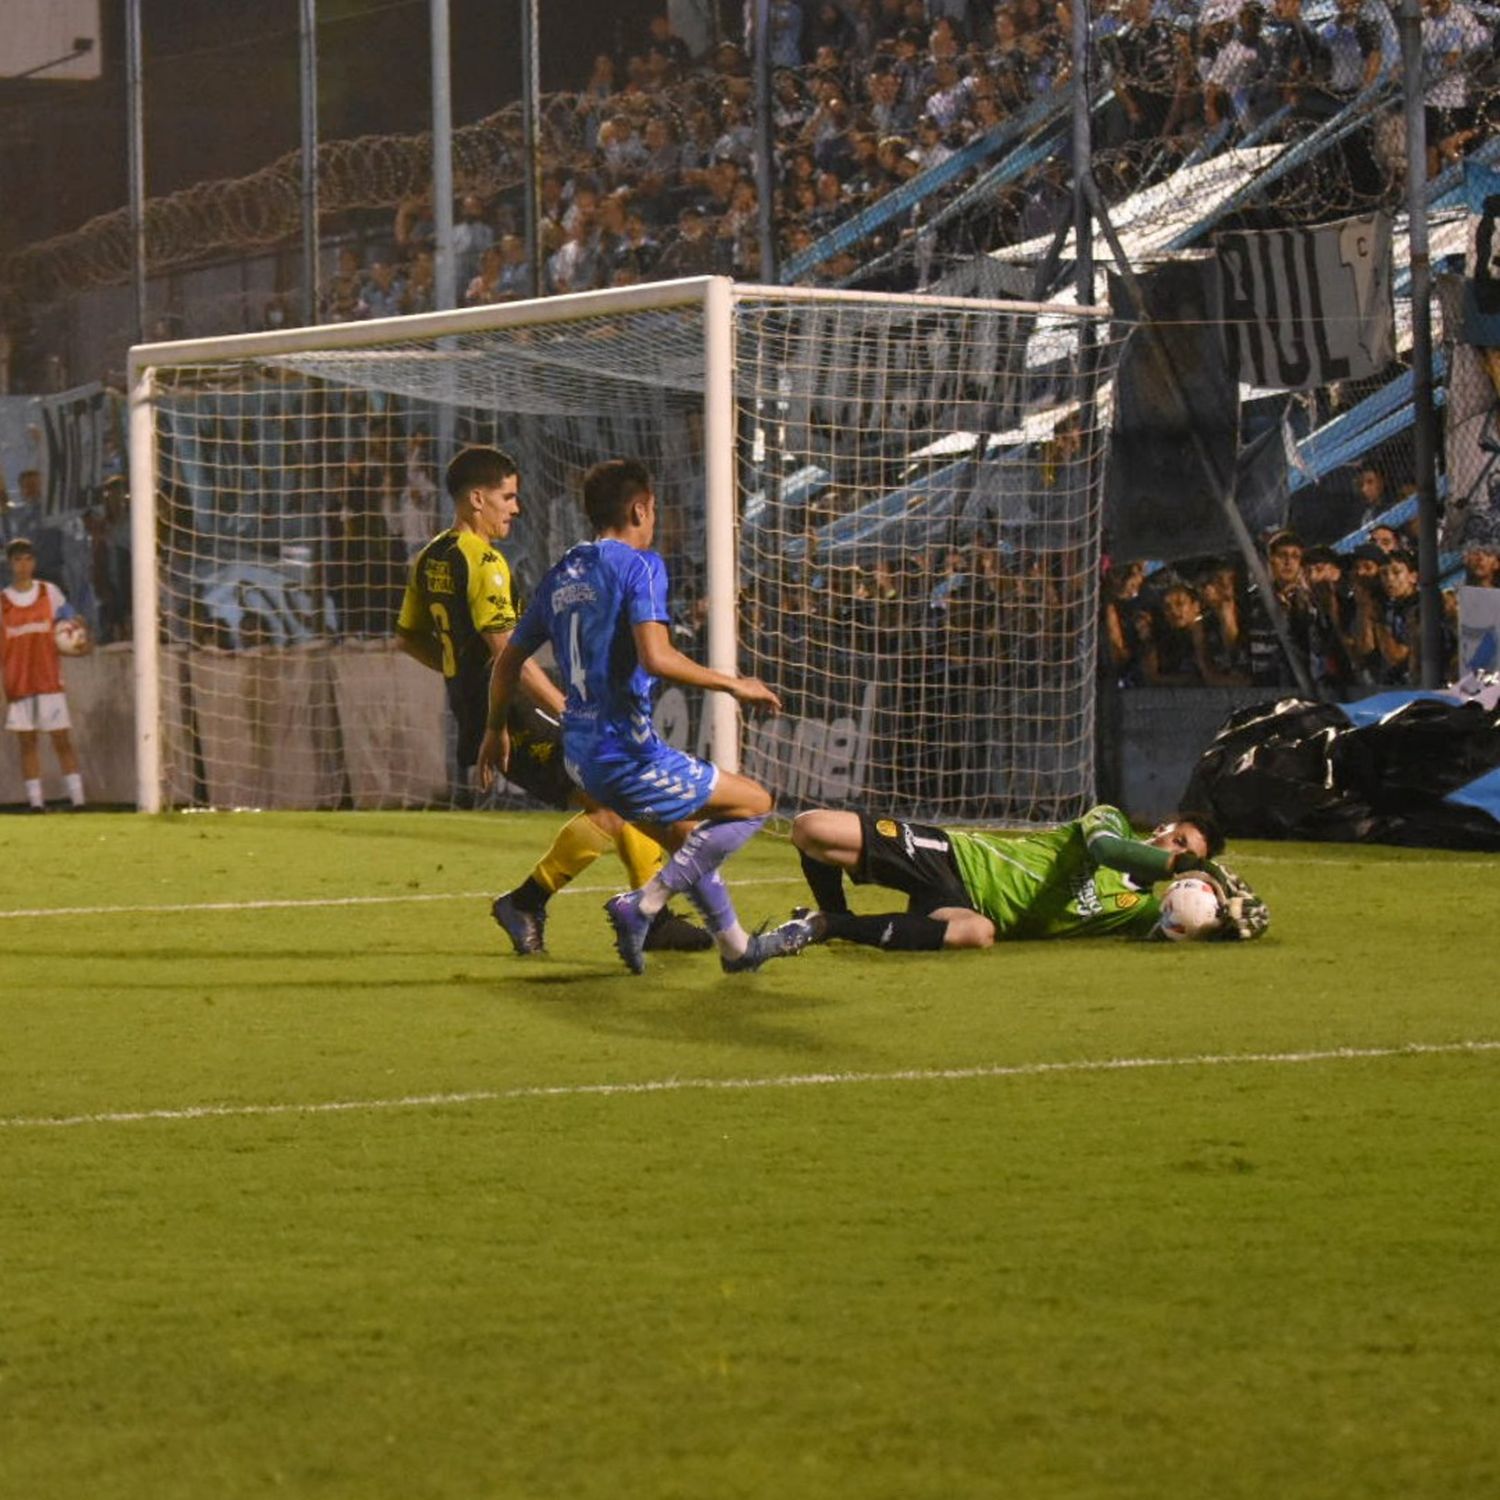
column 589, row 607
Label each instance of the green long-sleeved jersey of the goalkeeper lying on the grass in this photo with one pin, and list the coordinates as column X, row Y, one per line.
column 1084, row 880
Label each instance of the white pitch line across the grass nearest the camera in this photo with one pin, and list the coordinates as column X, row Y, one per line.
column 797, row 1081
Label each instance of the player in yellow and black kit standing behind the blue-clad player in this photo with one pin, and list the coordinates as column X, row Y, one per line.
column 457, row 616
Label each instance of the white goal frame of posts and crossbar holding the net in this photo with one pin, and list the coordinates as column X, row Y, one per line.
column 716, row 298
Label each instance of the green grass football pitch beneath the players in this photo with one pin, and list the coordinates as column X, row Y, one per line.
column 881, row 1226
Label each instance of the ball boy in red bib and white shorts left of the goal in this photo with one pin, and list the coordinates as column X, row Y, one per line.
column 32, row 674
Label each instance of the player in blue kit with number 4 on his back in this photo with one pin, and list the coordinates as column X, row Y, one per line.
column 604, row 608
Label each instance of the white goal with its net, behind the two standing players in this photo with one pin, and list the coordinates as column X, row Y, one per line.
column 884, row 506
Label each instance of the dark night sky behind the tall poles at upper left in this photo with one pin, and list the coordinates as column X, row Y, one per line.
column 221, row 92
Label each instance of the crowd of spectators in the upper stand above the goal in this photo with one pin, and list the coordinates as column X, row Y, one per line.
column 655, row 155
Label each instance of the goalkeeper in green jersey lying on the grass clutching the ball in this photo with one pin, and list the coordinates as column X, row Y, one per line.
column 967, row 890
